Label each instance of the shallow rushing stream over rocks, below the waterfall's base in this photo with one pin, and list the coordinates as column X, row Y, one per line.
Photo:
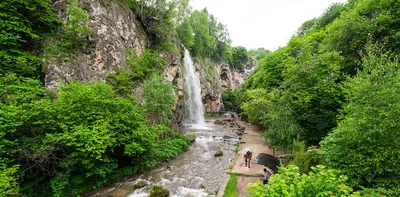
column 194, row 173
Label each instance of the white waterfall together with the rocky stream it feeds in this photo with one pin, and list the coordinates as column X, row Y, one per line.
column 194, row 173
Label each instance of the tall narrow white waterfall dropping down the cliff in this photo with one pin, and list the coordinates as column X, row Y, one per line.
column 193, row 91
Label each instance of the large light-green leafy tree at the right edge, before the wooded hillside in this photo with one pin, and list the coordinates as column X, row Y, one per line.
column 366, row 142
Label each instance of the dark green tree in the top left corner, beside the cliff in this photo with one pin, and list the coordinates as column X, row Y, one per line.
column 22, row 25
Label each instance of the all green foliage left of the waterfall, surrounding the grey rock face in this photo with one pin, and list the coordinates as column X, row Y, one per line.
column 76, row 138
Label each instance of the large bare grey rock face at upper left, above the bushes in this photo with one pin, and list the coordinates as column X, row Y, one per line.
column 115, row 30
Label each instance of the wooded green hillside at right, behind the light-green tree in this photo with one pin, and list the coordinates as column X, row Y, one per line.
column 307, row 75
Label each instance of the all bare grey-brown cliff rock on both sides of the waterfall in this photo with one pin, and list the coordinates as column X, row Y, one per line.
column 115, row 30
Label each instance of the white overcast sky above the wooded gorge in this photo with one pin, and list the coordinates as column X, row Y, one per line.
column 263, row 23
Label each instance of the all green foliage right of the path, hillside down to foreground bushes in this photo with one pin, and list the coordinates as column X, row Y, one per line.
column 335, row 84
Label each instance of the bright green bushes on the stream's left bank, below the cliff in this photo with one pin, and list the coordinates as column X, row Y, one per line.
column 76, row 139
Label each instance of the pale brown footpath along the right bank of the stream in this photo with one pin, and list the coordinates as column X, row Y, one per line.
column 252, row 139
